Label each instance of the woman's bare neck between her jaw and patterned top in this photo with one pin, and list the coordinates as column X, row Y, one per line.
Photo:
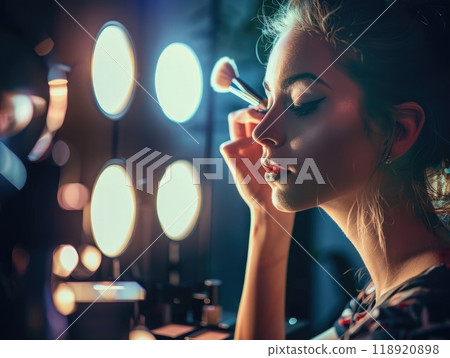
column 409, row 248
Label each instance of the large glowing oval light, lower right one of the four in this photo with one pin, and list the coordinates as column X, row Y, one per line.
column 178, row 200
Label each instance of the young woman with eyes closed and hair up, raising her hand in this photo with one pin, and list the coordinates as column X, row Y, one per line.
column 362, row 88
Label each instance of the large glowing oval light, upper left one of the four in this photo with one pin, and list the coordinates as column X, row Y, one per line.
column 113, row 70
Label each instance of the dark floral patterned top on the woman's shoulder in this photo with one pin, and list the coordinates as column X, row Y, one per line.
column 417, row 309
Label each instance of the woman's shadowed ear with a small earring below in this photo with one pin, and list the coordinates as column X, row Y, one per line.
column 409, row 117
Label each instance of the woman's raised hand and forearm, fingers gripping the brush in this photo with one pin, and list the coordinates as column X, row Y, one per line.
column 262, row 306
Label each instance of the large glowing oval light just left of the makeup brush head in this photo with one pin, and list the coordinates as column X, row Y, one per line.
column 179, row 82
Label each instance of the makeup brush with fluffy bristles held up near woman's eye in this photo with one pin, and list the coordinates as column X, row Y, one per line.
column 225, row 78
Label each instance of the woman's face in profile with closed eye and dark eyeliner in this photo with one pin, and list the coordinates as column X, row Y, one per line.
column 322, row 121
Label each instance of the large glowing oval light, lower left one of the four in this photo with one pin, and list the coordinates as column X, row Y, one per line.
column 113, row 210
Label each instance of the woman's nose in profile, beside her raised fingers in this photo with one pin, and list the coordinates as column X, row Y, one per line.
column 269, row 131
